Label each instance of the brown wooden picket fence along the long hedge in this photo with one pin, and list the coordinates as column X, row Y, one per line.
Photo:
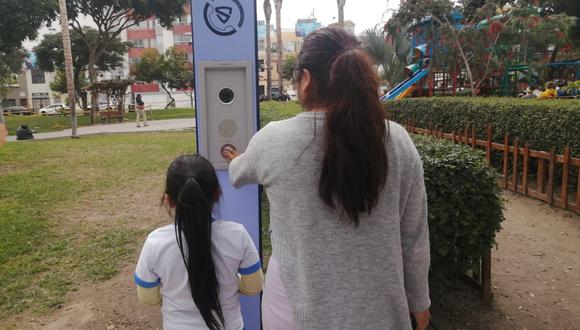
column 518, row 175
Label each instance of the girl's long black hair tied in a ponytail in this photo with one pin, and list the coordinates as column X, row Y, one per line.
column 193, row 188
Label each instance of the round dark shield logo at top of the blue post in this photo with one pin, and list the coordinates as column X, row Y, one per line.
column 223, row 17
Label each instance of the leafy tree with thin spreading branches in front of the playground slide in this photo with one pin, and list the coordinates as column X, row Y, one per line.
column 480, row 44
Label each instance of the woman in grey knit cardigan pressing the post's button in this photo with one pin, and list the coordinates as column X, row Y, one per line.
column 348, row 207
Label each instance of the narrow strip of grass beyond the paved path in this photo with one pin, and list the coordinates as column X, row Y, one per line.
column 43, row 124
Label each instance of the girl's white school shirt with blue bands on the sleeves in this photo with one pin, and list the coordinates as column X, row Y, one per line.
column 161, row 264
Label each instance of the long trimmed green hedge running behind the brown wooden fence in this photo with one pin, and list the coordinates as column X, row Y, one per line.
column 541, row 124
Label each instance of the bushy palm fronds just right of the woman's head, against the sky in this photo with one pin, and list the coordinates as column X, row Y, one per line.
column 384, row 55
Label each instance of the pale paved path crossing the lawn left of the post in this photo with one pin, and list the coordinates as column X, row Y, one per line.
column 127, row 127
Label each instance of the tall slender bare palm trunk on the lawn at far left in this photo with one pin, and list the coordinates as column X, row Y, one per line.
column 70, row 85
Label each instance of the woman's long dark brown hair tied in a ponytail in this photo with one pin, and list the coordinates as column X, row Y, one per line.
column 354, row 169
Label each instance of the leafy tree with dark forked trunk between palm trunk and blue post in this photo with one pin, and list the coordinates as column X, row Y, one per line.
column 111, row 18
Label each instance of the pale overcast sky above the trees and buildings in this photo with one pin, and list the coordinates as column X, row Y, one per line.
column 364, row 13
